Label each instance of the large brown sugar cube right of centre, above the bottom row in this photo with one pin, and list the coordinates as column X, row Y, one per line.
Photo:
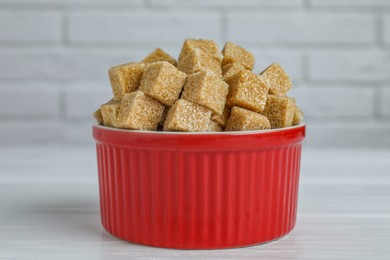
column 247, row 90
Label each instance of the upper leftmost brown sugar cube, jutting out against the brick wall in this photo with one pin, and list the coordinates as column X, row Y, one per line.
column 125, row 78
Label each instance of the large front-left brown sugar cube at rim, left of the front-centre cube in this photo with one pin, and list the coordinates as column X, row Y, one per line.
column 139, row 111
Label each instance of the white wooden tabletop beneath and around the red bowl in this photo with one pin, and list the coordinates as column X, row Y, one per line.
column 49, row 209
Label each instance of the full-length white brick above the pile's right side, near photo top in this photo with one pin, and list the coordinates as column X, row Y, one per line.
column 302, row 28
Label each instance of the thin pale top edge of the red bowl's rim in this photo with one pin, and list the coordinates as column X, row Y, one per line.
column 246, row 132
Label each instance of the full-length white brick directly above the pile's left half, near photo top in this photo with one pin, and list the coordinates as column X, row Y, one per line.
column 129, row 27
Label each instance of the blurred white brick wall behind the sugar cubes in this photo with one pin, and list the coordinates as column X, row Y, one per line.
column 54, row 56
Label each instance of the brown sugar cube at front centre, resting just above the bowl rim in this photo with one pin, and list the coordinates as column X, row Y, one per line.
column 185, row 116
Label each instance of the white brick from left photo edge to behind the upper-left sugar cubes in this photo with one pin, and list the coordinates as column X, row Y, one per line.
column 68, row 64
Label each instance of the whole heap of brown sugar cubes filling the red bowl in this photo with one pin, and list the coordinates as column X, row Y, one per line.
column 206, row 90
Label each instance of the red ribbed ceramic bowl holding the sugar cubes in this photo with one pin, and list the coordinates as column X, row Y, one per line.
column 198, row 190
